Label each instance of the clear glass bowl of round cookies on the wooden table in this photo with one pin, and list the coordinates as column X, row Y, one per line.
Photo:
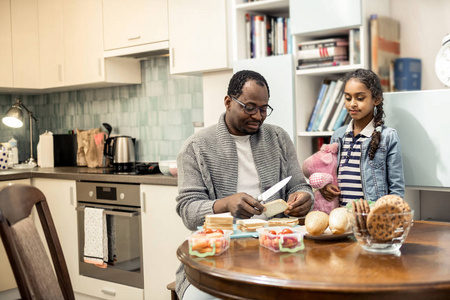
column 383, row 232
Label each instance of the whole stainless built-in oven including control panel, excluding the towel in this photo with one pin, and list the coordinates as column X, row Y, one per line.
column 120, row 204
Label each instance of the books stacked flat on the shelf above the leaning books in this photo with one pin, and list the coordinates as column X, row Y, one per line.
column 334, row 51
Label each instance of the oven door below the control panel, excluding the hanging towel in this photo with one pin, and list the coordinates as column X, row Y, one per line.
column 128, row 265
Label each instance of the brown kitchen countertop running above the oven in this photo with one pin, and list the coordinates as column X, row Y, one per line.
column 86, row 174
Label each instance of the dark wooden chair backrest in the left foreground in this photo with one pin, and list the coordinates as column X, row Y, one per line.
column 34, row 274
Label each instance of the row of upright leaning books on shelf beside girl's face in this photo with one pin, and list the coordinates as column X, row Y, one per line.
column 329, row 111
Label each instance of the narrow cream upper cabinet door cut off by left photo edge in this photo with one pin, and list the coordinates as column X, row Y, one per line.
column 6, row 75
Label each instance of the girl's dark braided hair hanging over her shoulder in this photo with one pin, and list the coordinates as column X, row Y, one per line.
column 372, row 82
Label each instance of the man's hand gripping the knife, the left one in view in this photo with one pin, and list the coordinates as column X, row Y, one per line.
column 240, row 205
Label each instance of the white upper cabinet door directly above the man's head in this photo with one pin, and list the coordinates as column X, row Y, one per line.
column 198, row 35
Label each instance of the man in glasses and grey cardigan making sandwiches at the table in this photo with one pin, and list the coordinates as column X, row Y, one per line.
column 224, row 167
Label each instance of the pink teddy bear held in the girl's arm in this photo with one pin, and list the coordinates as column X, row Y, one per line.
column 321, row 169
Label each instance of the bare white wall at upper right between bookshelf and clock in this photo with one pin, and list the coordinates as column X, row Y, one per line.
column 423, row 25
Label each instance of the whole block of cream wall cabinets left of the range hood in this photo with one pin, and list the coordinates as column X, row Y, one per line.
column 58, row 46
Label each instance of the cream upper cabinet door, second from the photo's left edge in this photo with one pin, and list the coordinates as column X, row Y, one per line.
column 25, row 43
